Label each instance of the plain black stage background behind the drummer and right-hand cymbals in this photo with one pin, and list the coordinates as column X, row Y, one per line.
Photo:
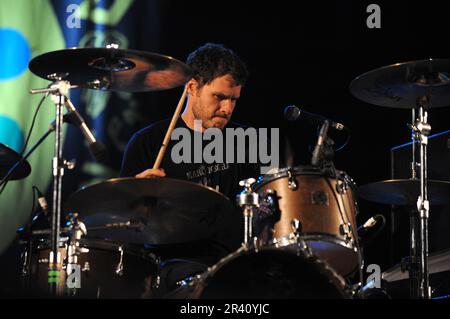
column 307, row 53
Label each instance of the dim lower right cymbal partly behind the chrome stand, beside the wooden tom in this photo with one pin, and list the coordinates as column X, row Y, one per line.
column 405, row 192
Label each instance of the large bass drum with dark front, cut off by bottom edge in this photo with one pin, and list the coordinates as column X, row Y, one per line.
column 269, row 273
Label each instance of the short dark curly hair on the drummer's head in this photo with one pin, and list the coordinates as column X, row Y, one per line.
column 212, row 60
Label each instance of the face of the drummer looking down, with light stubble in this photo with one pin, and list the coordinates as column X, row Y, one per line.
column 213, row 103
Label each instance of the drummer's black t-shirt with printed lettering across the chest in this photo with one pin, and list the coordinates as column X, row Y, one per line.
column 141, row 153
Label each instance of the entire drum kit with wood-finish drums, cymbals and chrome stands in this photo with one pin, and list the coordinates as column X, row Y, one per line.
column 300, row 232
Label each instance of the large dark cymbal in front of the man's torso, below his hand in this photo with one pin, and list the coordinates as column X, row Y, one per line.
column 169, row 210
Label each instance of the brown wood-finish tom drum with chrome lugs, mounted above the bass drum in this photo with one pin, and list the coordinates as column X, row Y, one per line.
column 321, row 209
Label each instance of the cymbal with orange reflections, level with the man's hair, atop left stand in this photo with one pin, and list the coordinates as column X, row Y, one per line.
column 112, row 69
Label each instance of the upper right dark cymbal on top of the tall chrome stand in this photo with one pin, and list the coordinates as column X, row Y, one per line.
column 401, row 85
